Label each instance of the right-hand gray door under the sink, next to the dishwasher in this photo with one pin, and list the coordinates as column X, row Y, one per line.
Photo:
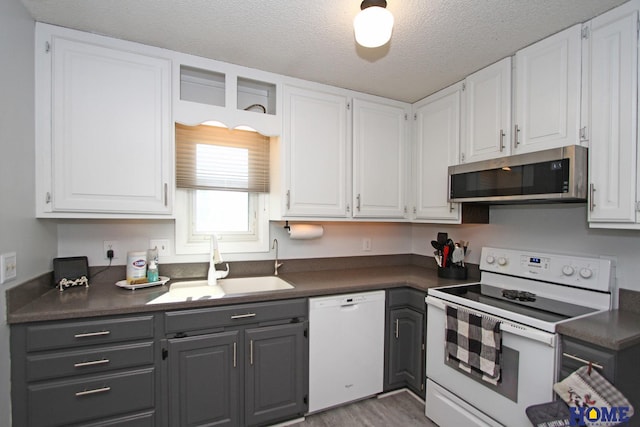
column 276, row 373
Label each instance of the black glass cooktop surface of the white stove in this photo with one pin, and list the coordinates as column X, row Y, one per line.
column 519, row 301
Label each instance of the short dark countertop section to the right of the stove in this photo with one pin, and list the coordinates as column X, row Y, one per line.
column 615, row 330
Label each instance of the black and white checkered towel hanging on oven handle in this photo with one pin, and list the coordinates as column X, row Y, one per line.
column 474, row 343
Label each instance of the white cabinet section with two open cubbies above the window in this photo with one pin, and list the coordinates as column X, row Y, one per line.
column 207, row 90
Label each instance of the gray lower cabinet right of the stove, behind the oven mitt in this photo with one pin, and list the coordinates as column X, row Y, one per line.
column 620, row 368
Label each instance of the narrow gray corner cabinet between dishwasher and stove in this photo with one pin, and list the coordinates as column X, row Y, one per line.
column 405, row 357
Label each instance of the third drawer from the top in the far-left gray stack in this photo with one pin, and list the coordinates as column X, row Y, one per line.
column 59, row 403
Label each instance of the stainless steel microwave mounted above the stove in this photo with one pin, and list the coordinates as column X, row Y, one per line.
column 555, row 175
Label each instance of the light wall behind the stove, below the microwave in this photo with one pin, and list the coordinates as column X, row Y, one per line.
column 558, row 228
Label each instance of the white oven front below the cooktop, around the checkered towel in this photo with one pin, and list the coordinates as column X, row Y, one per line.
column 529, row 364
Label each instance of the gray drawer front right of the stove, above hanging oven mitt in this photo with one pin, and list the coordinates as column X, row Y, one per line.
column 576, row 354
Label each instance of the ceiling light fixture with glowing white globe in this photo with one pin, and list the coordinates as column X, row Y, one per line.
column 373, row 24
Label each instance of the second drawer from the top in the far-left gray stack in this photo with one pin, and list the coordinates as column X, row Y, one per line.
column 88, row 361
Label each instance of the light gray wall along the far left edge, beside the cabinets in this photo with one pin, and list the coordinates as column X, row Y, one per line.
column 33, row 241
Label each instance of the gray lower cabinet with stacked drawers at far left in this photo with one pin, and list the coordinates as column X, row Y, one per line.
column 95, row 372
